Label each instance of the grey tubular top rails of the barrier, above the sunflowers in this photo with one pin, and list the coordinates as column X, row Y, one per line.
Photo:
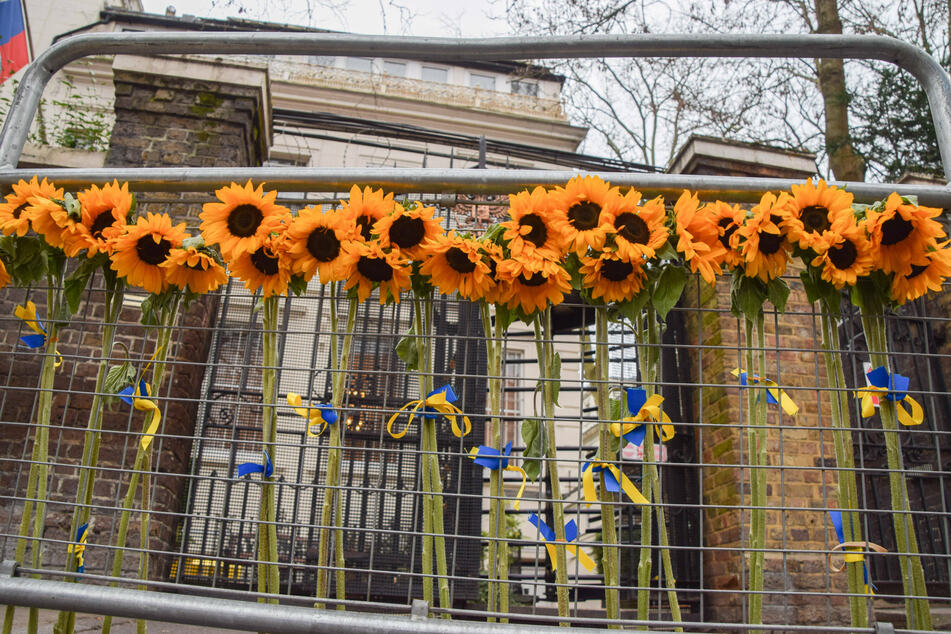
column 923, row 67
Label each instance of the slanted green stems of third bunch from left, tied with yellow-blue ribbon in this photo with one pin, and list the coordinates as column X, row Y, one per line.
column 142, row 457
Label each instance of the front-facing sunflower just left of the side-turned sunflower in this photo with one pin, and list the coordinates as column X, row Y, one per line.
column 639, row 229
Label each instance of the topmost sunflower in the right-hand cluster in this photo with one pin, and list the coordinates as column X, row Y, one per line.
column 811, row 210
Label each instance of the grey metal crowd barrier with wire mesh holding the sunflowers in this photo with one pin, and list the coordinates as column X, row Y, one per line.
column 204, row 516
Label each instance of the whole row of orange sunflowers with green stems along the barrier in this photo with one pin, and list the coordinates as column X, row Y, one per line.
column 627, row 256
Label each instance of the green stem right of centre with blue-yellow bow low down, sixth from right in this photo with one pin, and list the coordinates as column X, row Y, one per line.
column 545, row 348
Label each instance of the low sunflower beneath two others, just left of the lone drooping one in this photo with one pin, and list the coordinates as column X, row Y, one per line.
column 368, row 265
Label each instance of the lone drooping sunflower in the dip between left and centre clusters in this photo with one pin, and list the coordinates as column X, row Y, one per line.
column 456, row 264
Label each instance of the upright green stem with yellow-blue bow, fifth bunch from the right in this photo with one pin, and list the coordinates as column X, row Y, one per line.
column 611, row 557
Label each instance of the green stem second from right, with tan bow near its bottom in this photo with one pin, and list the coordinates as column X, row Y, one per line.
column 845, row 481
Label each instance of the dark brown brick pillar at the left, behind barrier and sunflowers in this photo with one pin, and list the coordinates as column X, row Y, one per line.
column 160, row 120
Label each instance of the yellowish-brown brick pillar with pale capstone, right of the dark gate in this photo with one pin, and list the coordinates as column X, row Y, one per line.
column 802, row 441
